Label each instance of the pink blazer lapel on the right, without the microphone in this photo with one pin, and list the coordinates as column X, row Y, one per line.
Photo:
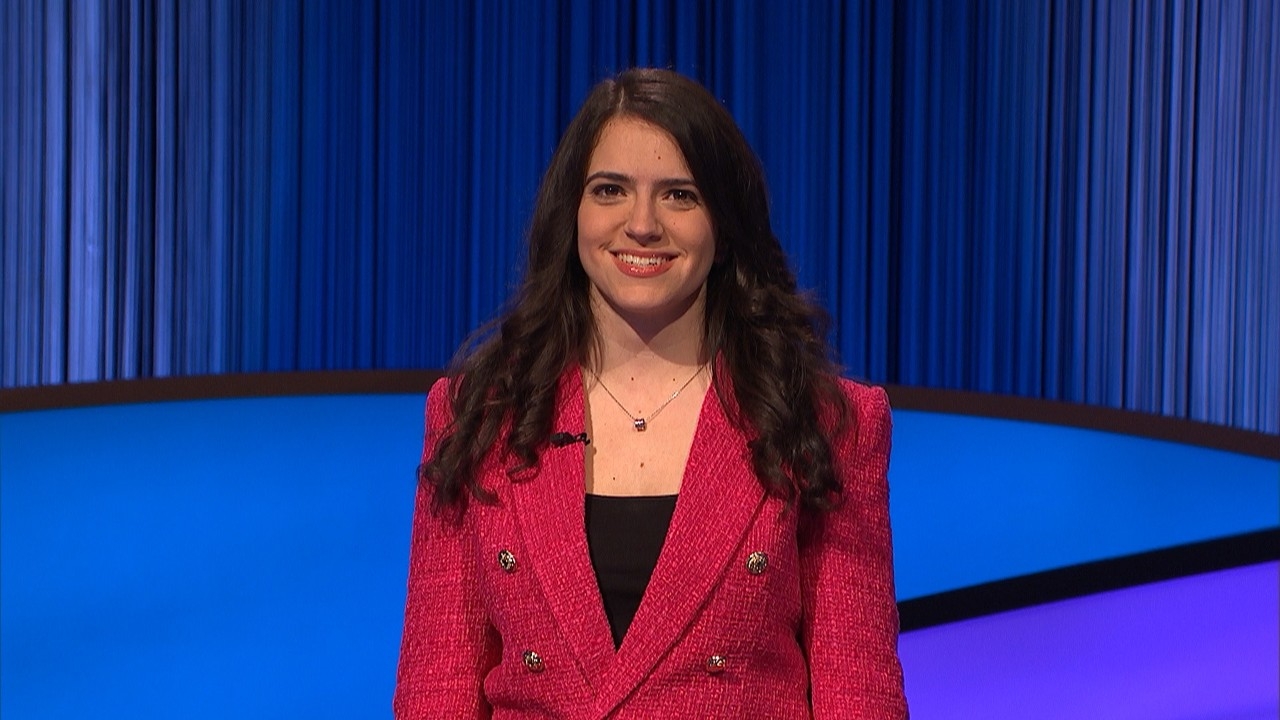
column 720, row 496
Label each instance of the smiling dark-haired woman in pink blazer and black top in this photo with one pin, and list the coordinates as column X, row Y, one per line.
column 655, row 417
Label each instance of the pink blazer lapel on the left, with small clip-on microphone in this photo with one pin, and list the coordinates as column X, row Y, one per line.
column 550, row 511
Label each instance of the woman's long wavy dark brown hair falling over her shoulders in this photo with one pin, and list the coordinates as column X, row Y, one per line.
column 781, row 386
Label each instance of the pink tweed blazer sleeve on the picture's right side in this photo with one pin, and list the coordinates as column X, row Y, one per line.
column 849, row 628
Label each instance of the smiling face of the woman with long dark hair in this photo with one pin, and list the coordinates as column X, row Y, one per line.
column 644, row 235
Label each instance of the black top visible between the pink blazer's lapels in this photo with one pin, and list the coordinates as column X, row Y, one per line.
column 624, row 537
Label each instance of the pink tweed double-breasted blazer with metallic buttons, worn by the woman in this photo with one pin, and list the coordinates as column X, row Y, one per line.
column 505, row 618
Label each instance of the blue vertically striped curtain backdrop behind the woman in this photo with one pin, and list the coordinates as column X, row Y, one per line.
column 1075, row 200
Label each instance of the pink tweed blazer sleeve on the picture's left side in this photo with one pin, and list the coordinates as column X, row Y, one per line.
column 449, row 645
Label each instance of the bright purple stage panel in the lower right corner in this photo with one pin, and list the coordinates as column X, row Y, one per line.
column 1203, row 648
